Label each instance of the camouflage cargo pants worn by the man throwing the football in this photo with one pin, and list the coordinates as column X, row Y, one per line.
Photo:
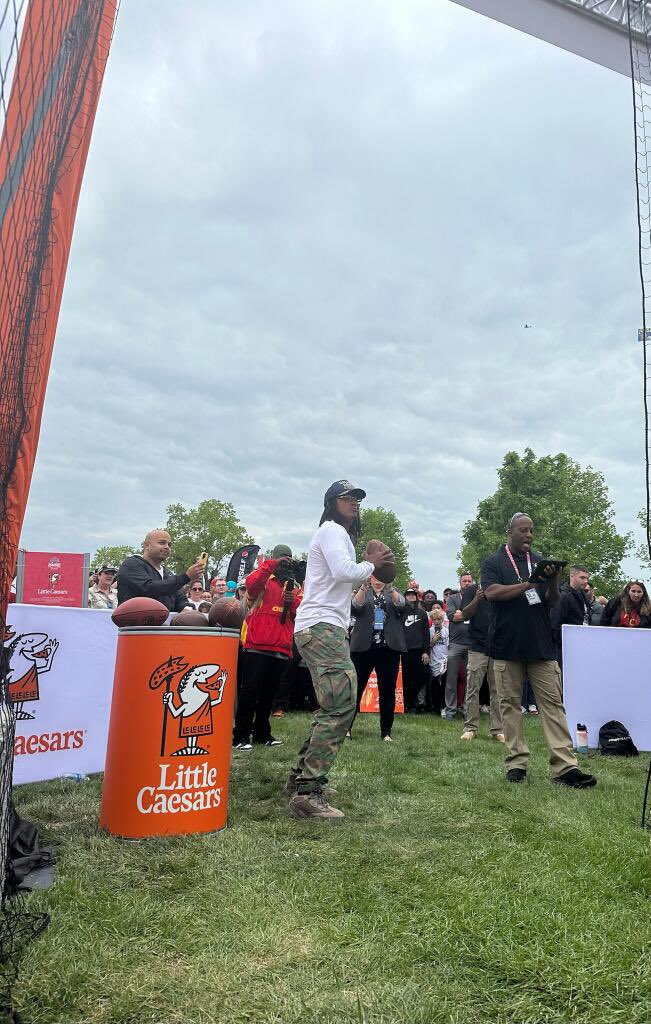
column 325, row 651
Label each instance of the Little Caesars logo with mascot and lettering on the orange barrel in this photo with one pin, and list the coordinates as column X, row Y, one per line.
column 190, row 701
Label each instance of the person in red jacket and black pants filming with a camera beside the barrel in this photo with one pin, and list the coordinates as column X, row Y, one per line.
column 273, row 599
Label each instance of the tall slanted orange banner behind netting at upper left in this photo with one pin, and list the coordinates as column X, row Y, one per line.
column 57, row 82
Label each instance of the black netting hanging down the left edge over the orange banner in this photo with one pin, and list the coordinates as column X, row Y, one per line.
column 50, row 51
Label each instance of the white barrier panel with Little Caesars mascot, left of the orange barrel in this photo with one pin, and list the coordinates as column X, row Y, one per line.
column 62, row 666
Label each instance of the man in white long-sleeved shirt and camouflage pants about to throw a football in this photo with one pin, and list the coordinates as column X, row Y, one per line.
column 322, row 637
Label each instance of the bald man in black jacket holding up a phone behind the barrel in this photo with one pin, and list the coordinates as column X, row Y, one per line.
column 146, row 576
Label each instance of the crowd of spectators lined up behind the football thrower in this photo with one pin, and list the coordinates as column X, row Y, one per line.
column 439, row 648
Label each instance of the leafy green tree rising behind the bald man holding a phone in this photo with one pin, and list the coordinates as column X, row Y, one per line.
column 212, row 527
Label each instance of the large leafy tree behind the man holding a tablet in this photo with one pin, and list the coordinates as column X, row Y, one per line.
column 572, row 511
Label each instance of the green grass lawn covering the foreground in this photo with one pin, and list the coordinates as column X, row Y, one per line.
column 447, row 895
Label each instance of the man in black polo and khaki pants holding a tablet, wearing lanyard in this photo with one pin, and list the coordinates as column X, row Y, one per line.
column 520, row 642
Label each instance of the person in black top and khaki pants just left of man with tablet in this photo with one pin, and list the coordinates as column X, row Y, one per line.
column 475, row 612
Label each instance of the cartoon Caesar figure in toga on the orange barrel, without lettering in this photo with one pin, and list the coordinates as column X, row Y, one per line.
column 196, row 711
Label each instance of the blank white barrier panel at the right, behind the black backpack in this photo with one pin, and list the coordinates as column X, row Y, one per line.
column 607, row 675
